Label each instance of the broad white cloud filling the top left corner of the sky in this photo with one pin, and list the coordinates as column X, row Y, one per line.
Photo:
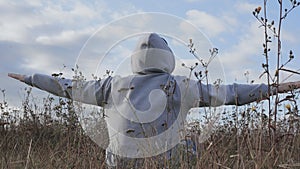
column 24, row 22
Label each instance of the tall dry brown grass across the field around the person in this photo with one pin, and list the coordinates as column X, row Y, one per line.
column 241, row 140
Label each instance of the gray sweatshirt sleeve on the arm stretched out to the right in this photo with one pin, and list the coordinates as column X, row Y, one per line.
column 234, row 94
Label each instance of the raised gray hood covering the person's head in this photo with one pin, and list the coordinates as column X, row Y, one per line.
column 152, row 55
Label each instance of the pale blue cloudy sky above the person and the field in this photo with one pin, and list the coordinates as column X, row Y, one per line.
column 42, row 36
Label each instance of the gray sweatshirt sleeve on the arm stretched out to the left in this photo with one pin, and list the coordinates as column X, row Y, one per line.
column 94, row 92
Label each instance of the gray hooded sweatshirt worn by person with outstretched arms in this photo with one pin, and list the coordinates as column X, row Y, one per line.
column 146, row 111
